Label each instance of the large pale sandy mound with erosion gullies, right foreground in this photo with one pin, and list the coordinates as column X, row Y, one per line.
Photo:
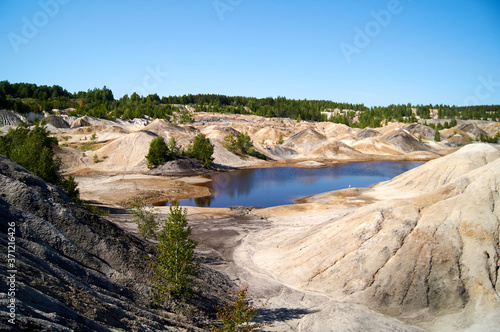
column 423, row 247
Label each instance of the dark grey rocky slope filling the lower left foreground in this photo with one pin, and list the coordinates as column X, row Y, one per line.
column 75, row 270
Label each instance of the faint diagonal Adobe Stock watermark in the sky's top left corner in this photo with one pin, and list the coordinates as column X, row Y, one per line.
column 31, row 27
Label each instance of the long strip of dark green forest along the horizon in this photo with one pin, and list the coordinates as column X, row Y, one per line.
column 101, row 103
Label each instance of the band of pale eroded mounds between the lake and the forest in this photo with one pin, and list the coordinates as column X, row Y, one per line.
column 121, row 145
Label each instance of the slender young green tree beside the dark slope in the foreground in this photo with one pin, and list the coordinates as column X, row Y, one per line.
column 175, row 263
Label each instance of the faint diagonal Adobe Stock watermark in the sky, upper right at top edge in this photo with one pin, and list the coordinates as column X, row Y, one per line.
column 371, row 30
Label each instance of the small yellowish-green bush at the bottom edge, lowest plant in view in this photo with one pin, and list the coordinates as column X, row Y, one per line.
column 237, row 317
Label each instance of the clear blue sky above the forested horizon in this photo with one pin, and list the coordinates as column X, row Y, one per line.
column 358, row 51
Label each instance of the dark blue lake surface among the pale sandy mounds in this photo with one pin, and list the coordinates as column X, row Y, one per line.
column 266, row 187
